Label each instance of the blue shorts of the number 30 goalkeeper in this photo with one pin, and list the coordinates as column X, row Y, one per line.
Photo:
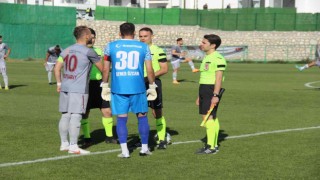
column 124, row 103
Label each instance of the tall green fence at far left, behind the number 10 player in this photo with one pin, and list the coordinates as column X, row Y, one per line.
column 31, row 30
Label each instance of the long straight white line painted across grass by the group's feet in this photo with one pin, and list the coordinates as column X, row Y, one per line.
column 175, row 143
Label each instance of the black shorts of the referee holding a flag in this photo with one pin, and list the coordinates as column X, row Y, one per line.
column 205, row 96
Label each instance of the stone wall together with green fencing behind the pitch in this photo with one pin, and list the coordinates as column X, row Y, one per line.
column 271, row 34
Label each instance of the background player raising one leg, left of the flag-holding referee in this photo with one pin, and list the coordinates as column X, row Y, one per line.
column 177, row 56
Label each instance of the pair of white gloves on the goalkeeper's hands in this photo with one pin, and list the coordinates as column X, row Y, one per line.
column 106, row 92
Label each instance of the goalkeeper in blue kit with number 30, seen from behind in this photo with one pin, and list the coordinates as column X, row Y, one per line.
column 128, row 92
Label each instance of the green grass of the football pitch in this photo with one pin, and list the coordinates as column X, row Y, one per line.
column 258, row 98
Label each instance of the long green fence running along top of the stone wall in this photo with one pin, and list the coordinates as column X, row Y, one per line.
column 244, row 19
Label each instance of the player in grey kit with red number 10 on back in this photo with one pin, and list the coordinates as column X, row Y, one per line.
column 74, row 87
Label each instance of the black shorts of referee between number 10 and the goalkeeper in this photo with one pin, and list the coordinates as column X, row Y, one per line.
column 95, row 100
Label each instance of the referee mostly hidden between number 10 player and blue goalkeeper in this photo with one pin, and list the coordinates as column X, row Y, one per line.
column 95, row 101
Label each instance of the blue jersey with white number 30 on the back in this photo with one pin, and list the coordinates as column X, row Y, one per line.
column 127, row 57
